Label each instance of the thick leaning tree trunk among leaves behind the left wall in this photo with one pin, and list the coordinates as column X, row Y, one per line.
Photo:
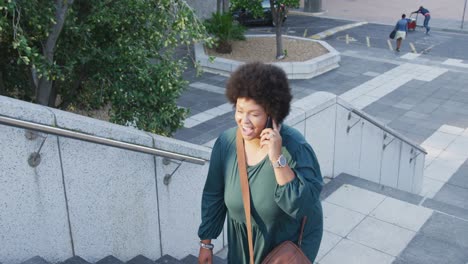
column 44, row 85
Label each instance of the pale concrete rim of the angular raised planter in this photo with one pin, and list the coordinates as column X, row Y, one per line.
column 295, row 70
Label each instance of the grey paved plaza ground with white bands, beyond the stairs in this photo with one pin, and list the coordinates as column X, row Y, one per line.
column 425, row 99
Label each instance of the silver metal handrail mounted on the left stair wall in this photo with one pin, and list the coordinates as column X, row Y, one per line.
column 99, row 140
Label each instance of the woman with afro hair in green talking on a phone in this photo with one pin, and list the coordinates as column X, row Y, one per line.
column 284, row 175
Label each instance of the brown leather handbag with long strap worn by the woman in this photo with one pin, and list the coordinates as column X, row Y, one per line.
column 287, row 252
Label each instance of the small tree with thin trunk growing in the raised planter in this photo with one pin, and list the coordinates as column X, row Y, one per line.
column 279, row 9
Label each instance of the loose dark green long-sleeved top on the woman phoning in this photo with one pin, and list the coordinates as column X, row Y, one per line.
column 276, row 210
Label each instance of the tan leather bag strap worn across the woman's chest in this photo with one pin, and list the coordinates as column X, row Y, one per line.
column 242, row 166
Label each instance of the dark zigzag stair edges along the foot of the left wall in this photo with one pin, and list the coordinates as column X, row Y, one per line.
column 166, row 259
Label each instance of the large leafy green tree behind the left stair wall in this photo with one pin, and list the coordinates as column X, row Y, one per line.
column 128, row 53
